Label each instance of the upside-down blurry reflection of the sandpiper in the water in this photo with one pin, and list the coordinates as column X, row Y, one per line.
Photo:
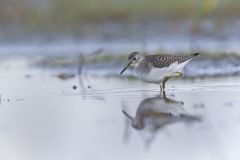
column 153, row 114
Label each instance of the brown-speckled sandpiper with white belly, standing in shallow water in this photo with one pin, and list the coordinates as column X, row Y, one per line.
column 158, row 68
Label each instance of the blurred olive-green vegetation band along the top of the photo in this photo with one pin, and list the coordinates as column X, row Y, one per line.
column 72, row 13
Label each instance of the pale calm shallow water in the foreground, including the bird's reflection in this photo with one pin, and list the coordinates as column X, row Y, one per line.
column 43, row 117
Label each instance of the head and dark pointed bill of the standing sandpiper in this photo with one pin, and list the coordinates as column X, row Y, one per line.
column 133, row 60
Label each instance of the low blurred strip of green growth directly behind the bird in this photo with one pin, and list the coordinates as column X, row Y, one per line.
column 115, row 60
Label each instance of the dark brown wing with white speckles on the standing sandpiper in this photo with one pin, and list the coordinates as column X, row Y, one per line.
column 160, row 61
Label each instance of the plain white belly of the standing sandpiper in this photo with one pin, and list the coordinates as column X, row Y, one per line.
column 157, row 74
